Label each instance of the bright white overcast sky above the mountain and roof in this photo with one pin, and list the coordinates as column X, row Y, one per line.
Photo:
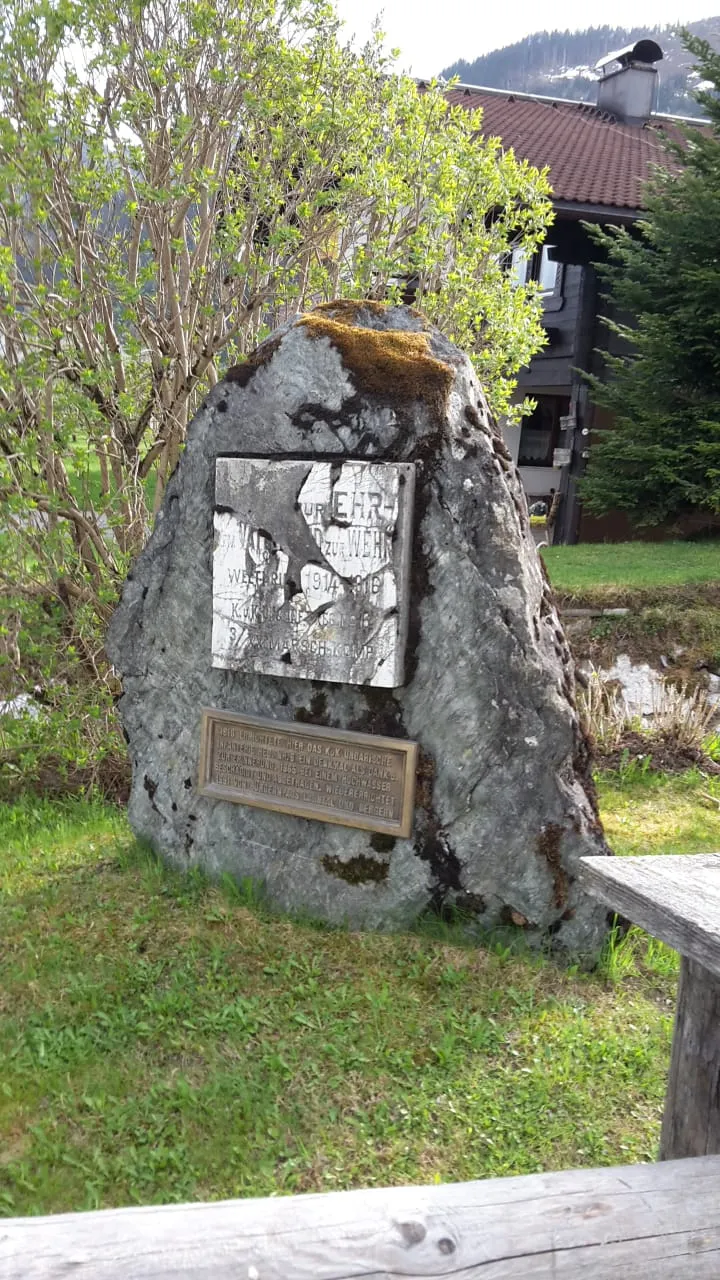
column 431, row 36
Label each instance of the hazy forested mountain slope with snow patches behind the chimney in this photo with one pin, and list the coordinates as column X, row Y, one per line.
column 562, row 63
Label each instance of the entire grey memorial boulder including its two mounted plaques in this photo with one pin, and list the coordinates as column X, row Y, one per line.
column 343, row 671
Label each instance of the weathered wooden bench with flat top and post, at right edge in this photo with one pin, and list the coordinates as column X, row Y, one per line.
column 677, row 899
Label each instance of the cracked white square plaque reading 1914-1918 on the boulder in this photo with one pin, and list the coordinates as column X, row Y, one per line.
column 311, row 569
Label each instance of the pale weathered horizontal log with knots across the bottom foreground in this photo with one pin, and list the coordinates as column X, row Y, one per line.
column 660, row 1222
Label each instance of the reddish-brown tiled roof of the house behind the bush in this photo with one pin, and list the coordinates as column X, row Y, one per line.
column 593, row 159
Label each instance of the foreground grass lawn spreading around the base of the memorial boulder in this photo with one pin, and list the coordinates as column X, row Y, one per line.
column 165, row 1040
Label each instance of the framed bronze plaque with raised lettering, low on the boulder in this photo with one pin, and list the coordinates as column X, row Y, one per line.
column 332, row 775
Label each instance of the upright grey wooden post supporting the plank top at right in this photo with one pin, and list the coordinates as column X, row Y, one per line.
column 691, row 1126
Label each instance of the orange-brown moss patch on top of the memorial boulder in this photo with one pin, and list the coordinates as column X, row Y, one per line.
column 393, row 364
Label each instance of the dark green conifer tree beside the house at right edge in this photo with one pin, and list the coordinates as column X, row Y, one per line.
column 662, row 460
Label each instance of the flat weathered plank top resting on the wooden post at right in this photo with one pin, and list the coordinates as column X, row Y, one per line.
column 675, row 897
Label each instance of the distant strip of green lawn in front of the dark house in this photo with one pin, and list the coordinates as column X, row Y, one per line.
column 587, row 566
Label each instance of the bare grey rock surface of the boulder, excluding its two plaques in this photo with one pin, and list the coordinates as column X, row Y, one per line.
column 505, row 804
